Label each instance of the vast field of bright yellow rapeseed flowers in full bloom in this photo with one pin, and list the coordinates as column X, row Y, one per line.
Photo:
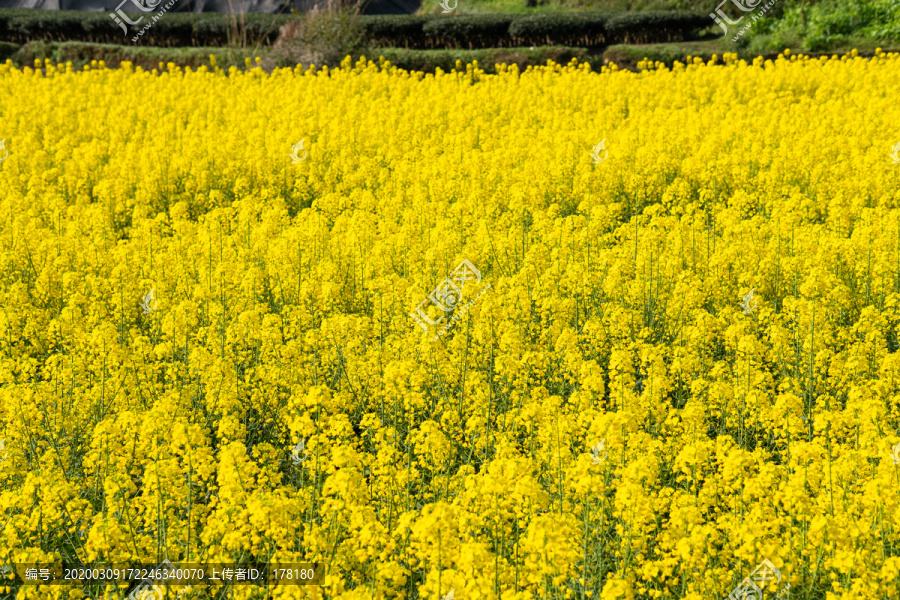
column 545, row 334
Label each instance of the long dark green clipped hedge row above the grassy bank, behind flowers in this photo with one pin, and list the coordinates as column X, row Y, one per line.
column 585, row 29
